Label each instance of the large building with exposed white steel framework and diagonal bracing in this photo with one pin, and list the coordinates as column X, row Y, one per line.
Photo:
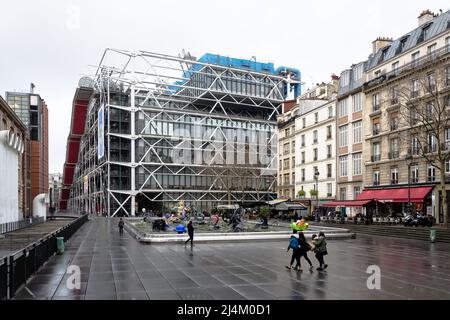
column 176, row 128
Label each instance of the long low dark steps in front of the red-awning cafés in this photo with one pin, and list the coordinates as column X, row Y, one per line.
column 418, row 233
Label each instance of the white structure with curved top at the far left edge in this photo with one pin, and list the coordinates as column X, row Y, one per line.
column 11, row 146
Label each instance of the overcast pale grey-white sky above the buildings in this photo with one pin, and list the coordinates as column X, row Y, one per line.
column 44, row 42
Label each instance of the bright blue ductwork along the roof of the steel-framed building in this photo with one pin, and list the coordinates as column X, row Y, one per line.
column 243, row 64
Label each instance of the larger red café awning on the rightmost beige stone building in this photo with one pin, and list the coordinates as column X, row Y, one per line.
column 396, row 194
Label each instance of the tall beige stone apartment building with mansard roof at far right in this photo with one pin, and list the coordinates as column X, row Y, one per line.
column 395, row 73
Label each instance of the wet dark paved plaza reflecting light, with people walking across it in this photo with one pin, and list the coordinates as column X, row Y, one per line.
column 119, row 267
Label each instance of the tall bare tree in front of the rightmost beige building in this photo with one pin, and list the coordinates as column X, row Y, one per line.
column 424, row 120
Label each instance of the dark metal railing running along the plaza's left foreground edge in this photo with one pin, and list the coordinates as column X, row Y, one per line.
column 18, row 267
